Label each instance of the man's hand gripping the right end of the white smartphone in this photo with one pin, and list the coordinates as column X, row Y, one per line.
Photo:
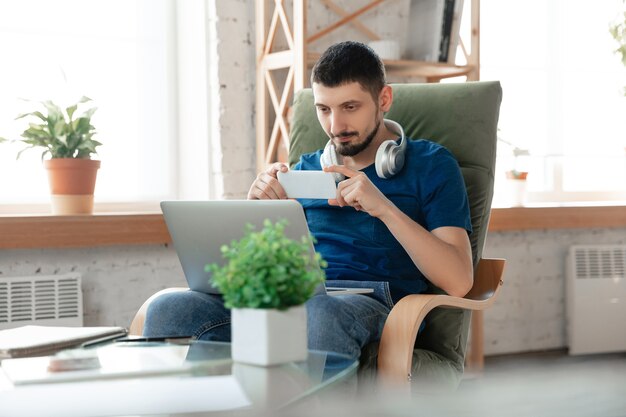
column 358, row 191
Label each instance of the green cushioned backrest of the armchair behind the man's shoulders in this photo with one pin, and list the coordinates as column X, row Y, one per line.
column 463, row 117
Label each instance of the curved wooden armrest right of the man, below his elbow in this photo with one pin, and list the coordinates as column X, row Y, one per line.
column 395, row 351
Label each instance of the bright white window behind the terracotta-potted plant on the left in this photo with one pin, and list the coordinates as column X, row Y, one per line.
column 121, row 54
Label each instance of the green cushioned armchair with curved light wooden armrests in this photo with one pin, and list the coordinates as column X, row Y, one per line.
column 463, row 117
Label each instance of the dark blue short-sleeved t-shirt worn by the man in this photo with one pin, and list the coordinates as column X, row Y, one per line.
column 429, row 189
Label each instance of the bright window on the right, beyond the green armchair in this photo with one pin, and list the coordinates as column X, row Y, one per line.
column 563, row 95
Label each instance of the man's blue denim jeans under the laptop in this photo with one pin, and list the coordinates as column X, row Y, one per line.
column 339, row 323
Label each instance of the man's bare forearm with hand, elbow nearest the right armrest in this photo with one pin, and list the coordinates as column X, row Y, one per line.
column 443, row 255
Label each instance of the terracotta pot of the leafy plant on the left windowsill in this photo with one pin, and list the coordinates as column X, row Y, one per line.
column 72, row 183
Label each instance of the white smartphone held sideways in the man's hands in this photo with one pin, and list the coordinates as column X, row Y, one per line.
column 308, row 184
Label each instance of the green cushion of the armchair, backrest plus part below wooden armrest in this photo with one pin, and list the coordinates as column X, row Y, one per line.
column 462, row 117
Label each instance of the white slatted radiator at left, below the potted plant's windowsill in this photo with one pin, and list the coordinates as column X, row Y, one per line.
column 55, row 300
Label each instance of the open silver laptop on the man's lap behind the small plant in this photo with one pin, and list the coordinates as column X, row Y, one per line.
column 199, row 228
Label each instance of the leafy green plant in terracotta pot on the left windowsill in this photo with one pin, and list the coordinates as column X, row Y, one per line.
column 68, row 140
